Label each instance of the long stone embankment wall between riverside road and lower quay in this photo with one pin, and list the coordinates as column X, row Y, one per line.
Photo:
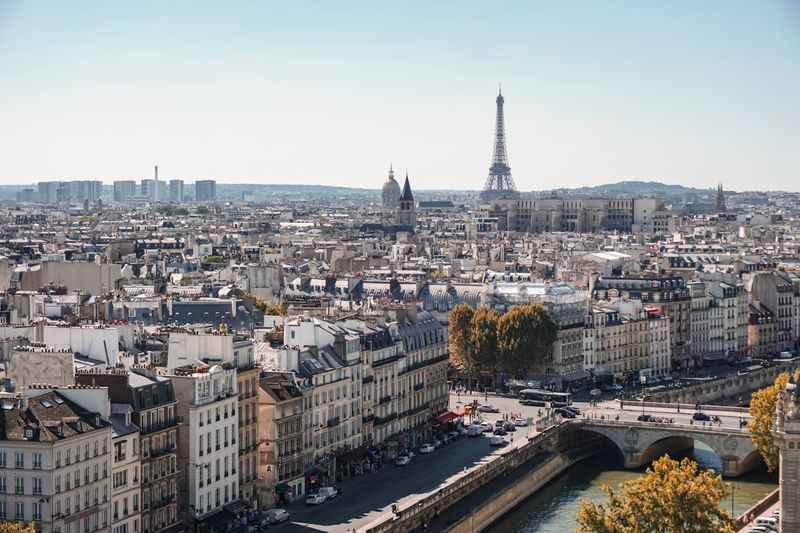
column 423, row 512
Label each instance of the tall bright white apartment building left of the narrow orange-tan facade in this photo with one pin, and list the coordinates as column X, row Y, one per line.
column 208, row 453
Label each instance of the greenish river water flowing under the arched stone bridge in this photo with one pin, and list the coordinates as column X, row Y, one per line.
column 553, row 509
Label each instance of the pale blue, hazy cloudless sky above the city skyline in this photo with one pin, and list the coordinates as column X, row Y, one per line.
column 332, row 92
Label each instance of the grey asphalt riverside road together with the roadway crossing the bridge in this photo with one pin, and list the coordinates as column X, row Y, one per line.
column 368, row 498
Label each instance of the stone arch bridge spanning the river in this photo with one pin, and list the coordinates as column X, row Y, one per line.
column 642, row 442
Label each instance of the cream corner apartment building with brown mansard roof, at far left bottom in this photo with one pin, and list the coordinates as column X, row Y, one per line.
column 55, row 459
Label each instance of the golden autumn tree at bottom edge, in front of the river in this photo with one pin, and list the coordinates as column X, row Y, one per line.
column 670, row 497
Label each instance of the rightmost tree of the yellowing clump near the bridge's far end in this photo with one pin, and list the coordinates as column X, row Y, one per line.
column 525, row 334
